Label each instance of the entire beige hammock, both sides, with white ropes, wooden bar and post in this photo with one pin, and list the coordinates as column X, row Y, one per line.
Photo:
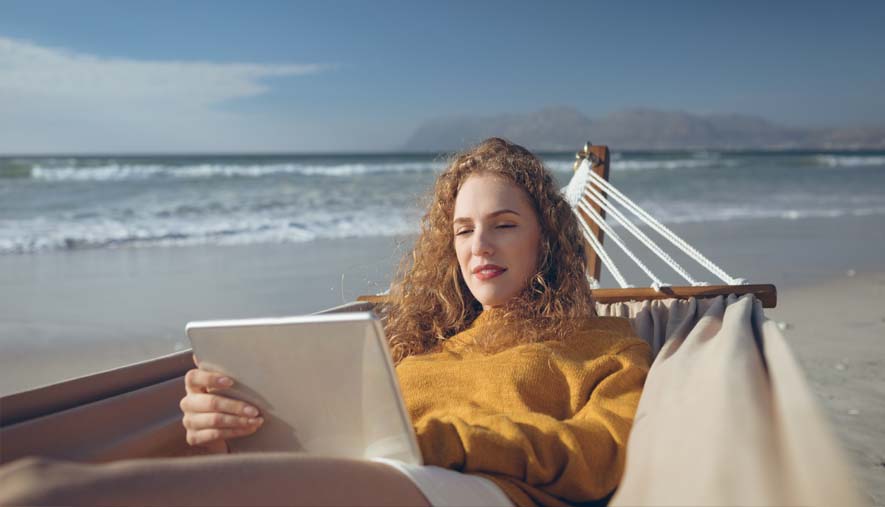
column 726, row 417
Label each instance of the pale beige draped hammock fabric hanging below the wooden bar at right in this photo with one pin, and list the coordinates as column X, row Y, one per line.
column 726, row 417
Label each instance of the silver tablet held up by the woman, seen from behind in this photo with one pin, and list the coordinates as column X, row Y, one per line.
column 325, row 384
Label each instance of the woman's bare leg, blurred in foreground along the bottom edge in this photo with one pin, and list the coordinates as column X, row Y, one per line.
column 256, row 479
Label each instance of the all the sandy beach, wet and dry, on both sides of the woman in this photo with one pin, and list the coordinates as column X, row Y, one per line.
column 66, row 314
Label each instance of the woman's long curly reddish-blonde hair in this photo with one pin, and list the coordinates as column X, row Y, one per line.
column 429, row 300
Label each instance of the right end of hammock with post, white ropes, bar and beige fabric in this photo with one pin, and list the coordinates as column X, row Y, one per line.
column 726, row 416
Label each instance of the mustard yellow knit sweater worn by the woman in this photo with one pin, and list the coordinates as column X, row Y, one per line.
column 547, row 422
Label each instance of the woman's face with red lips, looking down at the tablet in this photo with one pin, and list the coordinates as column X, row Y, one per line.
column 497, row 237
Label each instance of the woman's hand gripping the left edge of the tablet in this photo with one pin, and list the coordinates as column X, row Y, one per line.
column 212, row 419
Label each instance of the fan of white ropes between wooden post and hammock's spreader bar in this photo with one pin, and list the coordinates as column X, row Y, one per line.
column 581, row 187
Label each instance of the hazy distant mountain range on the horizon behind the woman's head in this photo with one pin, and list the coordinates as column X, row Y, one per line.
column 567, row 129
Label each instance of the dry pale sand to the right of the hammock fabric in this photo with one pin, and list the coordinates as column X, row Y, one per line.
column 836, row 329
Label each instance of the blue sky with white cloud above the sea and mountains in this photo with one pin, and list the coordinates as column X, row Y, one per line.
column 286, row 76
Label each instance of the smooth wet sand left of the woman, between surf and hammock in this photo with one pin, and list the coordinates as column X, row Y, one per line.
column 68, row 314
